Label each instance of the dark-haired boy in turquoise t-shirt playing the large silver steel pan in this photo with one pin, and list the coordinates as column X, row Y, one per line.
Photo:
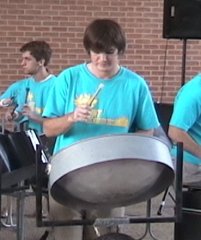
column 92, row 99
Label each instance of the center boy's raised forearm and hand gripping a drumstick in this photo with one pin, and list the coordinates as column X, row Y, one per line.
column 56, row 126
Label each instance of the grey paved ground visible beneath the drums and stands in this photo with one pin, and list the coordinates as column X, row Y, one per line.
column 162, row 231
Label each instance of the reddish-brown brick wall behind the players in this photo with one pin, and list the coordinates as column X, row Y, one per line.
column 62, row 22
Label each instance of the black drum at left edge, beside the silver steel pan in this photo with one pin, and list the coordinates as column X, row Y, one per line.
column 18, row 156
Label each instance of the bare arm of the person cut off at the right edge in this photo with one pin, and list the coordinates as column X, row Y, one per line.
column 179, row 135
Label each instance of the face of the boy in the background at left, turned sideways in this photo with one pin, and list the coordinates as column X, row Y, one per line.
column 29, row 63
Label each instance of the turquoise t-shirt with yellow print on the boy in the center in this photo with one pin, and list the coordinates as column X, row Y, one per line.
column 122, row 106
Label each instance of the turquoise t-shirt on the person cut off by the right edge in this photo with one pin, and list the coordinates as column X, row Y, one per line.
column 187, row 114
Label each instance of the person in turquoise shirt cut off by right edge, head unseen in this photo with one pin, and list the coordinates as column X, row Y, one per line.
column 185, row 126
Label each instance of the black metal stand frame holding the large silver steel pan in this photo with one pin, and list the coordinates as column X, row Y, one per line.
column 176, row 218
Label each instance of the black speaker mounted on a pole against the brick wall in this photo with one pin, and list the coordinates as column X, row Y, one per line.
column 182, row 19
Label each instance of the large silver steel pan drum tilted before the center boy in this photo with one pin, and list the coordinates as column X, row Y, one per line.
column 110, row 171
